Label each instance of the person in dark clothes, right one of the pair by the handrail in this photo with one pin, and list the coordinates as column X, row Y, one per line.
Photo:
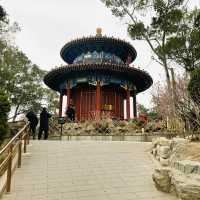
column 44, row 124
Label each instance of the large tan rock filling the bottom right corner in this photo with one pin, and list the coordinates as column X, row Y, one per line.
column 187, row 187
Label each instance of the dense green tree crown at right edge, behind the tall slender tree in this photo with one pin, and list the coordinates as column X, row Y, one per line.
column 184, row 47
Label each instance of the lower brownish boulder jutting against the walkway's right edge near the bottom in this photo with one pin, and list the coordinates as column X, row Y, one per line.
column 162, row 179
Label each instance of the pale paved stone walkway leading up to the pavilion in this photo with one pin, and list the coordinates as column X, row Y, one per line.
column 85, row 170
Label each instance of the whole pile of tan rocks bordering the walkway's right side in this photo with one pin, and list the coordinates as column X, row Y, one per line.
column 184, row 176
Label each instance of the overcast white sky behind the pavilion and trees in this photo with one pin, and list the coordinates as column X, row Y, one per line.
column 46, row 25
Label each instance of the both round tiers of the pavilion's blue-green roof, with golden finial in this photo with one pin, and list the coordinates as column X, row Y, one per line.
column 99, row 57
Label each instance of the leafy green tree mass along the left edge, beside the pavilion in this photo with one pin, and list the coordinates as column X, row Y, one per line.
column 19, row 77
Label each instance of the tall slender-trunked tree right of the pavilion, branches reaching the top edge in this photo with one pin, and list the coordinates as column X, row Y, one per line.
column 153, row 21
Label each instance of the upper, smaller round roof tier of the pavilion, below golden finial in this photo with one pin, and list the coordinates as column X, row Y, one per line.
column 118, row 47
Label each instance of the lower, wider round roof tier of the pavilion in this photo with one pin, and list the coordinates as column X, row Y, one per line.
column 141, row 79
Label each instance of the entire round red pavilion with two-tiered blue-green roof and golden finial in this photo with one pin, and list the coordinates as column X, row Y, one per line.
column 98, row 77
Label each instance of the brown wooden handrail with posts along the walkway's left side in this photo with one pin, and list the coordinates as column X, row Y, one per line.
column 12, row 157
